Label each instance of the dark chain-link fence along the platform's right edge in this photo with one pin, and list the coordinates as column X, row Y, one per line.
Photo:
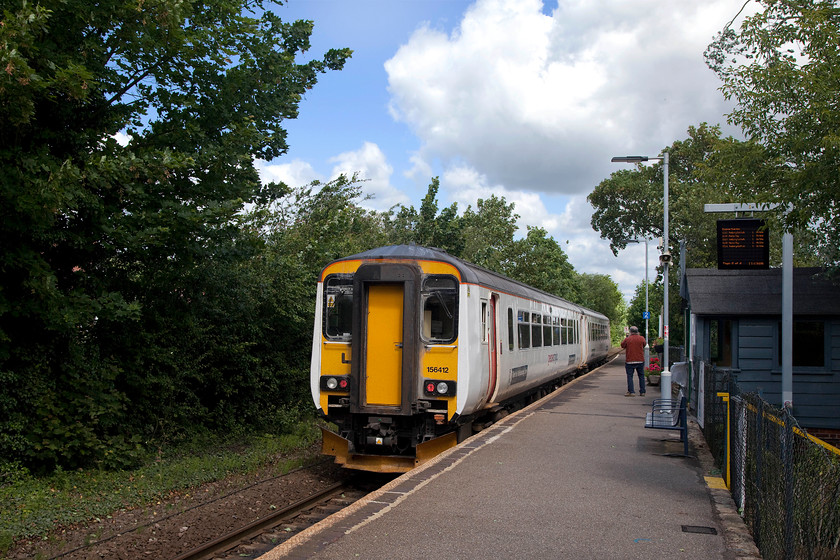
column 785, row 483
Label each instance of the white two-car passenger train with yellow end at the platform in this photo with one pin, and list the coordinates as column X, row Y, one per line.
column 415, row 349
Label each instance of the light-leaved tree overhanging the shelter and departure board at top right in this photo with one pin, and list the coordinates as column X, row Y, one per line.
column 782, row 68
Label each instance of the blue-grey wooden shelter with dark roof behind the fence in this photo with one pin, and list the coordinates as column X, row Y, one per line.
column 736, row 321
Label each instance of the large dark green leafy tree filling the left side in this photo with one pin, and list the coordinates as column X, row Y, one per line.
column 112, row 252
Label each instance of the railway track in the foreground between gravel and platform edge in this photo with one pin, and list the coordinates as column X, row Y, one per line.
column 264, row 534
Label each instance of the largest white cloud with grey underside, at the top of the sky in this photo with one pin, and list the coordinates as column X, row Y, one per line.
column 541, row 102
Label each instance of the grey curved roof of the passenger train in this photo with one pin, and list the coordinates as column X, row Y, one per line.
column 470, row 273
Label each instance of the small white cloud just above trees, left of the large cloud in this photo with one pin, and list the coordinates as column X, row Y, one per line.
column 374, row 170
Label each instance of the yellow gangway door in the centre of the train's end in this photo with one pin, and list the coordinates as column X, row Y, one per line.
column 384, row 345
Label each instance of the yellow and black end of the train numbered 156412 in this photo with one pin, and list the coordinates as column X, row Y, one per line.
column 385, row 359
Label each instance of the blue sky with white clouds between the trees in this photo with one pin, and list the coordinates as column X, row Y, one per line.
column 520, row 98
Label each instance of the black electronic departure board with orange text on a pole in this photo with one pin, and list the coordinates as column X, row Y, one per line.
column 743, row 243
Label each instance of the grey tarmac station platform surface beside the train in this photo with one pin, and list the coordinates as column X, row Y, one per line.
column 574, row 475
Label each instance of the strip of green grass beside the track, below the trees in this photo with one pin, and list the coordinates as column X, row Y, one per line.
column 34, row 506
